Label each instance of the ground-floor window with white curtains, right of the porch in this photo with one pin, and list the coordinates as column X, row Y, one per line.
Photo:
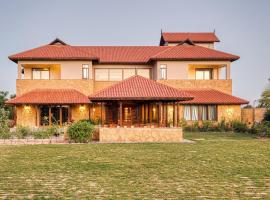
column 200, row 112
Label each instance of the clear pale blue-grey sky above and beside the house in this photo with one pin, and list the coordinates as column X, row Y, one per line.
column 242, row 26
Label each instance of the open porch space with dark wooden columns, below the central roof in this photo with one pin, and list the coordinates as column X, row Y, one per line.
column 136, row 113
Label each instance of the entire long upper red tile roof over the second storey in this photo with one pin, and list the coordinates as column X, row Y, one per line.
column 121, row 54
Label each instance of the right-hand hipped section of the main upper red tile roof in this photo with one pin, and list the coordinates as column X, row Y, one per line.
column 193, row 52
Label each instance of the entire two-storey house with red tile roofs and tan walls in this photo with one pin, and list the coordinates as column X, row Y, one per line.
column 184, row 77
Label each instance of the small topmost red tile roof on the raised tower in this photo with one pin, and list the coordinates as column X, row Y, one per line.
column 182, row 36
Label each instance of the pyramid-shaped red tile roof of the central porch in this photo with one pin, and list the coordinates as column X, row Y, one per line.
column 140, row 88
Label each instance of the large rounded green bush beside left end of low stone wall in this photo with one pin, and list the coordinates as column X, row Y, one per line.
column 81, row 132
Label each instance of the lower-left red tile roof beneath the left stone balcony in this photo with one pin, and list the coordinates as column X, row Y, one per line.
column 51, row 96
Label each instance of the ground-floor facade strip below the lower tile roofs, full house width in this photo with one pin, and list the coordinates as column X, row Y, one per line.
column 134, row 114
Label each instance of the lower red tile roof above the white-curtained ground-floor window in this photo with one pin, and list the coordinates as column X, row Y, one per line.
column 211, row 96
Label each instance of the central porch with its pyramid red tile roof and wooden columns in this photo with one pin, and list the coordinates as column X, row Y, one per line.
column 137, row 102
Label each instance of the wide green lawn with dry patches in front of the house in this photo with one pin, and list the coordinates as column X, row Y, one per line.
column 226, row 166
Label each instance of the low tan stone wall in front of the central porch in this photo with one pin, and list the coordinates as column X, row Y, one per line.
column 140, row 135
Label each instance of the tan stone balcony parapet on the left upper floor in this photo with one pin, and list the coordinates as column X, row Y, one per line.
column 83, row 86
